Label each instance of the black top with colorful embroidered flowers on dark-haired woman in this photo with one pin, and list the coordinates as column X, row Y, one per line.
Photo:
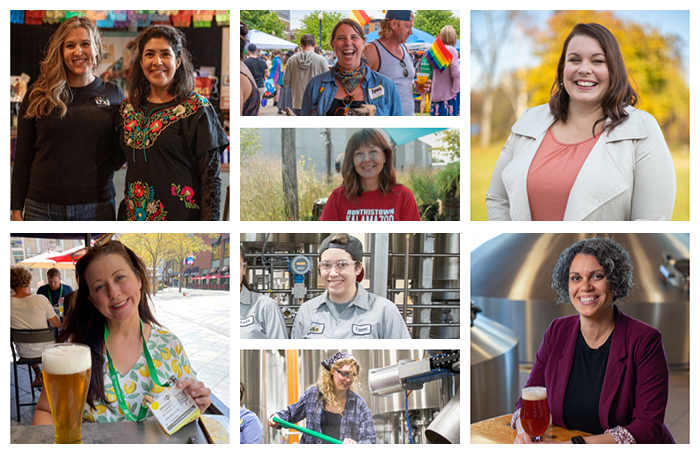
column 172, row 152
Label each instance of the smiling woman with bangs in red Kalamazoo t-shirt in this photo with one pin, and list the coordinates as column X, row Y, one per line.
column 369, row 191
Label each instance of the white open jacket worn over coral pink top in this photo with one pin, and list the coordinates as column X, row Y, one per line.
column 628, row 175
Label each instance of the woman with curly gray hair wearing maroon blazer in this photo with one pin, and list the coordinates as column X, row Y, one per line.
column 605, row 372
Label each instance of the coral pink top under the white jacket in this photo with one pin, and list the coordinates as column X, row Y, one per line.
column 552, row 175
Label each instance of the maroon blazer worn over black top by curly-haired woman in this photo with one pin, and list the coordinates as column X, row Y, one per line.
column 635, row 388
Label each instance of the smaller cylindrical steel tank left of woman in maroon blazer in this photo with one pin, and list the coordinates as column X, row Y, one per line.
column 494, row 369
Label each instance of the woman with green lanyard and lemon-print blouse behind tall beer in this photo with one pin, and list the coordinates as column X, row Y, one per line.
column 132, row 355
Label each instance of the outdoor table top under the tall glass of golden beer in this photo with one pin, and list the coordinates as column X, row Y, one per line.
column 146, row 432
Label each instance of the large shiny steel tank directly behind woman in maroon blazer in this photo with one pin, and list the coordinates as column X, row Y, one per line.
column 512, row 273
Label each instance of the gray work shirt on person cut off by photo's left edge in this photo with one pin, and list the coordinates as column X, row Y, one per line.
column 261, row 317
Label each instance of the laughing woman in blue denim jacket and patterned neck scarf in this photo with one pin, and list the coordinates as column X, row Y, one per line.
column 350, row 83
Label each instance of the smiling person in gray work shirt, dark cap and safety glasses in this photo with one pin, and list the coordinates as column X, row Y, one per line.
column 346, row 309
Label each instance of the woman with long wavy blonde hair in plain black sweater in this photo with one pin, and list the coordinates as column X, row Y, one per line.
column 66, row 151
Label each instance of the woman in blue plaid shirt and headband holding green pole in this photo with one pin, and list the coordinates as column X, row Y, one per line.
column 331, row 407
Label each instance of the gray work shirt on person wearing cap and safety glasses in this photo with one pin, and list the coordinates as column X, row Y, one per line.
column 368, row 316
